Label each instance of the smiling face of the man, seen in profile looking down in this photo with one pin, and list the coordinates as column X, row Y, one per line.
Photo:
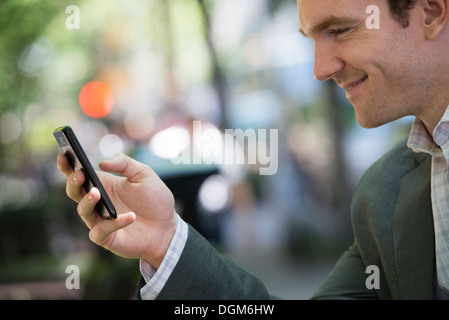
column 380, row 69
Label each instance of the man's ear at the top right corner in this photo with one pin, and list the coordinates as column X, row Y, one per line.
column 435, row 17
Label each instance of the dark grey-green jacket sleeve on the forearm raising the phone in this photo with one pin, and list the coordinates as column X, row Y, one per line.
column 204, row 274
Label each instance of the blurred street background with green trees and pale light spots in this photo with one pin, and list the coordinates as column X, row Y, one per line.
column 152, row 67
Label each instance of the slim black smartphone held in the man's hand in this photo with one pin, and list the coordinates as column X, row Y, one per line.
column 70, row 146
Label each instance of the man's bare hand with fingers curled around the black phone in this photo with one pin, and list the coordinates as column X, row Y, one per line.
column 146, row 220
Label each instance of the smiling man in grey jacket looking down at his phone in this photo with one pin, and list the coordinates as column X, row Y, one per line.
column 399, row 212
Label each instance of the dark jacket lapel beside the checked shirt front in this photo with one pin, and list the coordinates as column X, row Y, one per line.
column 413, row 234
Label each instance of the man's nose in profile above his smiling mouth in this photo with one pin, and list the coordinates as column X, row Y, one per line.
column 327, row 65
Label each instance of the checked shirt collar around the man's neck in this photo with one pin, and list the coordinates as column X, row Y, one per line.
column 421, row 141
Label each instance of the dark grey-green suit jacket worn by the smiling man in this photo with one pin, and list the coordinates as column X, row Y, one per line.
column 393, row 229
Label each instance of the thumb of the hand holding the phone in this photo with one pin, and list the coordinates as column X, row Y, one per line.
column 127, row 167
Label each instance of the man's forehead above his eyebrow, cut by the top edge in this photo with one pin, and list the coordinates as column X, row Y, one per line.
column 312, row 12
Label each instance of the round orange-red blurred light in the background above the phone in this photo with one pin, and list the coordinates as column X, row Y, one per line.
column 96, row 99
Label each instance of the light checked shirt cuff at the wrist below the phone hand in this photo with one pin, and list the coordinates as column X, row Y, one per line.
column 156, row 279
